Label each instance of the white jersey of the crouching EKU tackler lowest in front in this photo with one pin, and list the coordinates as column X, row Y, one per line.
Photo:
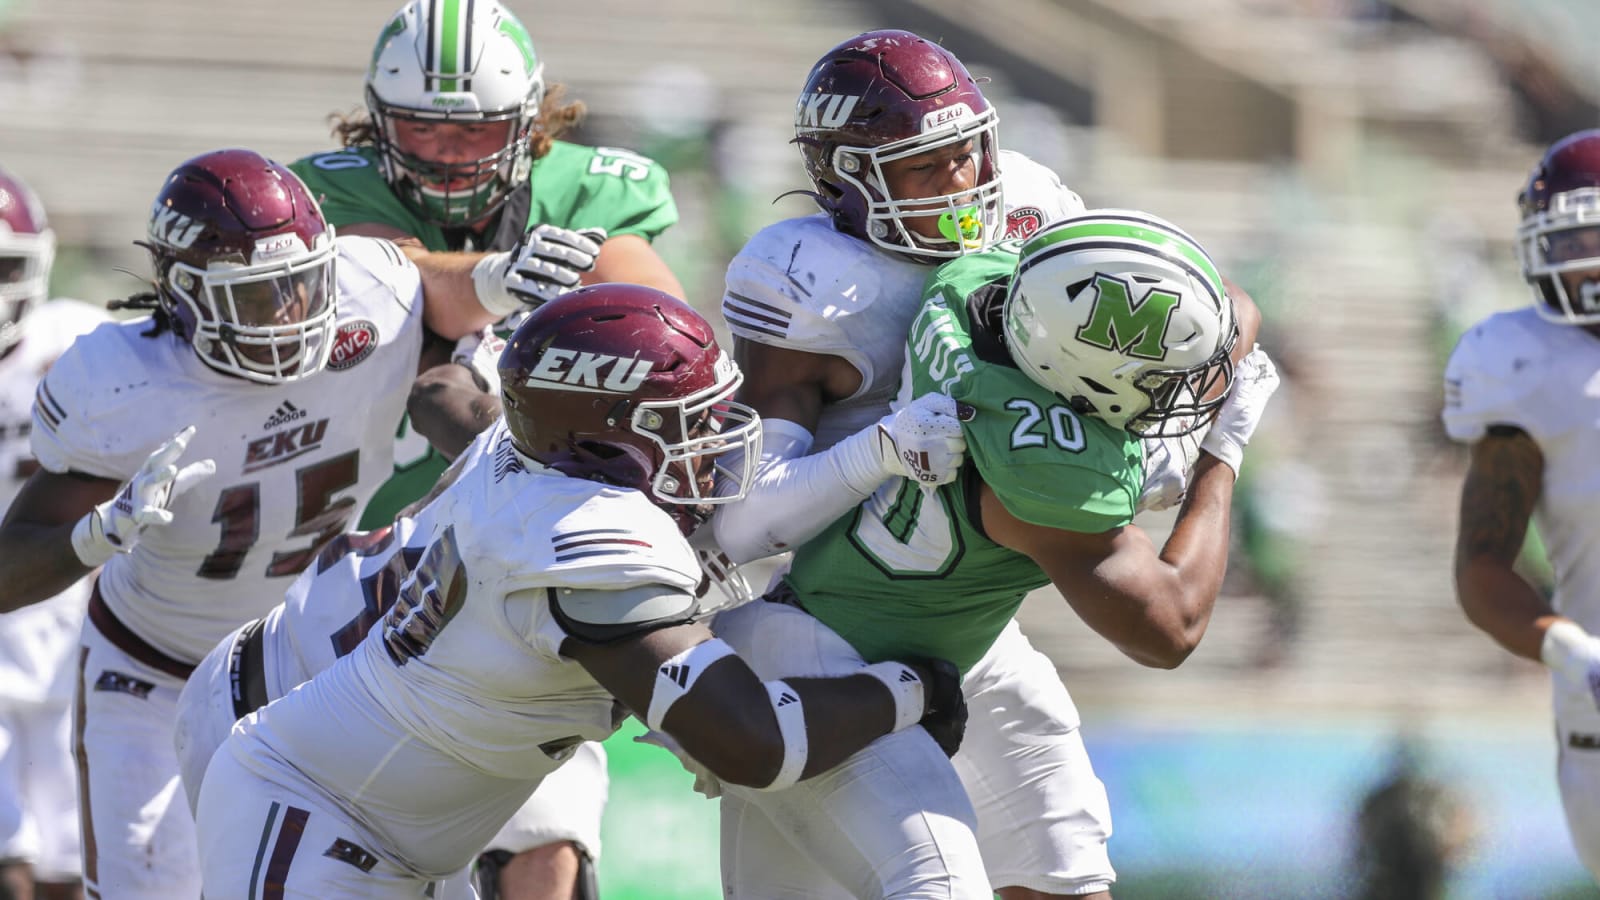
column 441, row 725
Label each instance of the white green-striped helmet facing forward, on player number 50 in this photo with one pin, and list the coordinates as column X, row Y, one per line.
column 455, row 62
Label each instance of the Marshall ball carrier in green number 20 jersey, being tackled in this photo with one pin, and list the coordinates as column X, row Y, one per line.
column 1073, row 348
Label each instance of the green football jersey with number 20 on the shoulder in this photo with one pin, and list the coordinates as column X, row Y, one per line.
column 913, row 573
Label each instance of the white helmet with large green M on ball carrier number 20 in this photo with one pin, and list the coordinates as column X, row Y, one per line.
column 1126, row 318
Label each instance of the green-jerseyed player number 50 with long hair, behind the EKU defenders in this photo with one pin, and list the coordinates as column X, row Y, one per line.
column 458, row 158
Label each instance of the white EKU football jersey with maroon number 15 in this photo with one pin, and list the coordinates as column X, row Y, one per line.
column 295, row 462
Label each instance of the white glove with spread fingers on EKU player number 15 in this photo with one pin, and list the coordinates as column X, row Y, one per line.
column 116, row 526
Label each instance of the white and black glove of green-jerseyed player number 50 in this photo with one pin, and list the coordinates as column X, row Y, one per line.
column 545, row 265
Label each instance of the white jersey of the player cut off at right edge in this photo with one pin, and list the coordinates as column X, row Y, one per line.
column 1545, row 379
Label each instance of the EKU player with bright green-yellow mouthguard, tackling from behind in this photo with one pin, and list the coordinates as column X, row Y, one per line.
column 900, row 145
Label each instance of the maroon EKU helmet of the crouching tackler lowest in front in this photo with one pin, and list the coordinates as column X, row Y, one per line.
column 626, row 385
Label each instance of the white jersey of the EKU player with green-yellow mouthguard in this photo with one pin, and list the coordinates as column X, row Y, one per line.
column 802, row 286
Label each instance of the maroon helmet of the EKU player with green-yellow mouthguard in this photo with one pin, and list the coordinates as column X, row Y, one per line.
column 889, row 95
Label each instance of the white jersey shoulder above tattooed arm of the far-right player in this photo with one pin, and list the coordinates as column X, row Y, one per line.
column 1497, row 374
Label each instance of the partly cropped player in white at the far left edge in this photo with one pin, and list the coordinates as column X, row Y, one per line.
column 39, row 816
